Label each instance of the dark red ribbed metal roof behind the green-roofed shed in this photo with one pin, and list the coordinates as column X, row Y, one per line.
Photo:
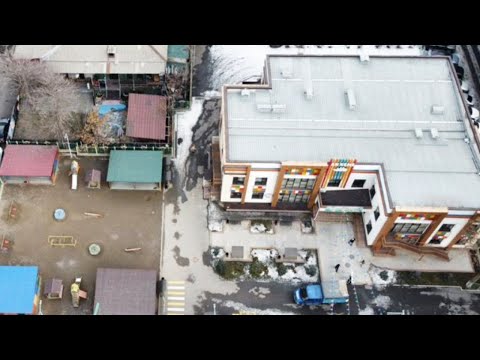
column 146, row 116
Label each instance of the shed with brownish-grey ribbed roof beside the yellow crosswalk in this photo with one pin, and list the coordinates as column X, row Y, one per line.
column 125, row 292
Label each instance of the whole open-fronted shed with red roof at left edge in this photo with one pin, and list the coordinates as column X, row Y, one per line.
column 29, row 164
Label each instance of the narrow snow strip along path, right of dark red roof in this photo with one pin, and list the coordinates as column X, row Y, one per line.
column 186, row 120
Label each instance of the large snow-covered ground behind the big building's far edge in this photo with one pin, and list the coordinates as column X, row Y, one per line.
column 233, row 64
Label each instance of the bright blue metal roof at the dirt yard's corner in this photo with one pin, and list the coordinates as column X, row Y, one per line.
column 18, row 285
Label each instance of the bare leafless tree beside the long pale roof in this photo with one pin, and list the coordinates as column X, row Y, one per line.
column 50, row 96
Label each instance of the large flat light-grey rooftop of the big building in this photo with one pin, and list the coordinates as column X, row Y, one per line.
column 403, row 112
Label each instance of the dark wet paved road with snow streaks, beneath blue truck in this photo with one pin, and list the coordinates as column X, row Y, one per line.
column 262, row 298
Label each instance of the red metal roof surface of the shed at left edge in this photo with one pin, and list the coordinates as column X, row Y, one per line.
column 28, row 160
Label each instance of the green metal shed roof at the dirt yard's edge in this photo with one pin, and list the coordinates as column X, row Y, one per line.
column 137, row 166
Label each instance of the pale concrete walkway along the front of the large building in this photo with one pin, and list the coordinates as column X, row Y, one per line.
column 331, row 240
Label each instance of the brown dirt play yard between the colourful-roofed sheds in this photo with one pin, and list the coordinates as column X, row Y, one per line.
column 130, row 219
